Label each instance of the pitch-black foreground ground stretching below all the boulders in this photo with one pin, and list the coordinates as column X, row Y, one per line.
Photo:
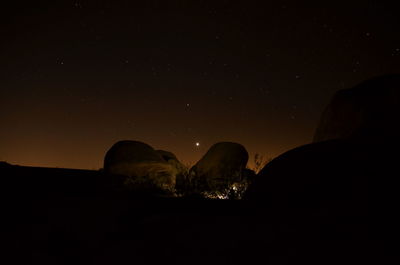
column 63, row 216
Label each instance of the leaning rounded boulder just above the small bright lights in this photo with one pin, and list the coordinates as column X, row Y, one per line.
column 221, row 166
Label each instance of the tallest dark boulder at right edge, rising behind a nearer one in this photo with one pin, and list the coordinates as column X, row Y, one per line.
column 368, row 111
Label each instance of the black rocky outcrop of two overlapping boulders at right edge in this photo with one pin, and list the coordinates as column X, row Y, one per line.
column 350, row 166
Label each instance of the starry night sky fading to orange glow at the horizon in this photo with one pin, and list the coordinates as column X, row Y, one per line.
column 77, row 76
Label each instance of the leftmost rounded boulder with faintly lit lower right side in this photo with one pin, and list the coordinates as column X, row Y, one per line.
column 141, row 166
